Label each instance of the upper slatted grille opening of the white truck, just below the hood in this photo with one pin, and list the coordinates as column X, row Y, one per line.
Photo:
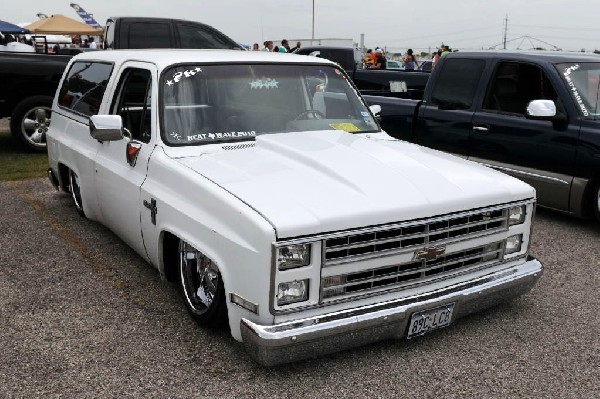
column 392, row 239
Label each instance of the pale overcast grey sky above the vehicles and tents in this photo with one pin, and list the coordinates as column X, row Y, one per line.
column 394, row 24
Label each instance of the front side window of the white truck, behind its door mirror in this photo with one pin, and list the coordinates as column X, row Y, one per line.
column 133, row 103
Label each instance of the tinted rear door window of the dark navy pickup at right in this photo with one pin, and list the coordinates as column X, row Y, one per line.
column 457, row 83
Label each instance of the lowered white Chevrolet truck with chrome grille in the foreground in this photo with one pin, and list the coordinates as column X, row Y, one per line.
column 263, row 185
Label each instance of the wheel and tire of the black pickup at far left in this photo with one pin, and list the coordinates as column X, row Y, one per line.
column 29, row 122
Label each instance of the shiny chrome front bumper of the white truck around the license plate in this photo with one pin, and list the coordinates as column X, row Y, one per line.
column 333, row 332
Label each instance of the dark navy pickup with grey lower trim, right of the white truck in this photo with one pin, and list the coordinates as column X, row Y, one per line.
column 533, row 115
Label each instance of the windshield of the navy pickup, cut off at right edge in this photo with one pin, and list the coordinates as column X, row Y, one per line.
column 583, row 81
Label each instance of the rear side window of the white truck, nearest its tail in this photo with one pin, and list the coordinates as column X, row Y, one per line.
column 83, row 88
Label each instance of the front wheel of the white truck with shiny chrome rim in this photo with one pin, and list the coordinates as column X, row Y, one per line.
column 202, row 287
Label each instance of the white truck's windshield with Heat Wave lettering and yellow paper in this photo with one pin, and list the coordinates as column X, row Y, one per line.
column 203, row 104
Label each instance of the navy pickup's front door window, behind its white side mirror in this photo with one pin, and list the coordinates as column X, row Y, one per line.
column 514, row 85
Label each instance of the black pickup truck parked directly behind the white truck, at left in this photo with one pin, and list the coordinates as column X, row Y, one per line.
column 29, row 80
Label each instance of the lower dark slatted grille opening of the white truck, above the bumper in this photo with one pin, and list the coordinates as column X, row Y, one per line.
column 400, row 275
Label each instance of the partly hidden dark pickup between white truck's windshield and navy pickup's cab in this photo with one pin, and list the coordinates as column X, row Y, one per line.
column 377, row 82
